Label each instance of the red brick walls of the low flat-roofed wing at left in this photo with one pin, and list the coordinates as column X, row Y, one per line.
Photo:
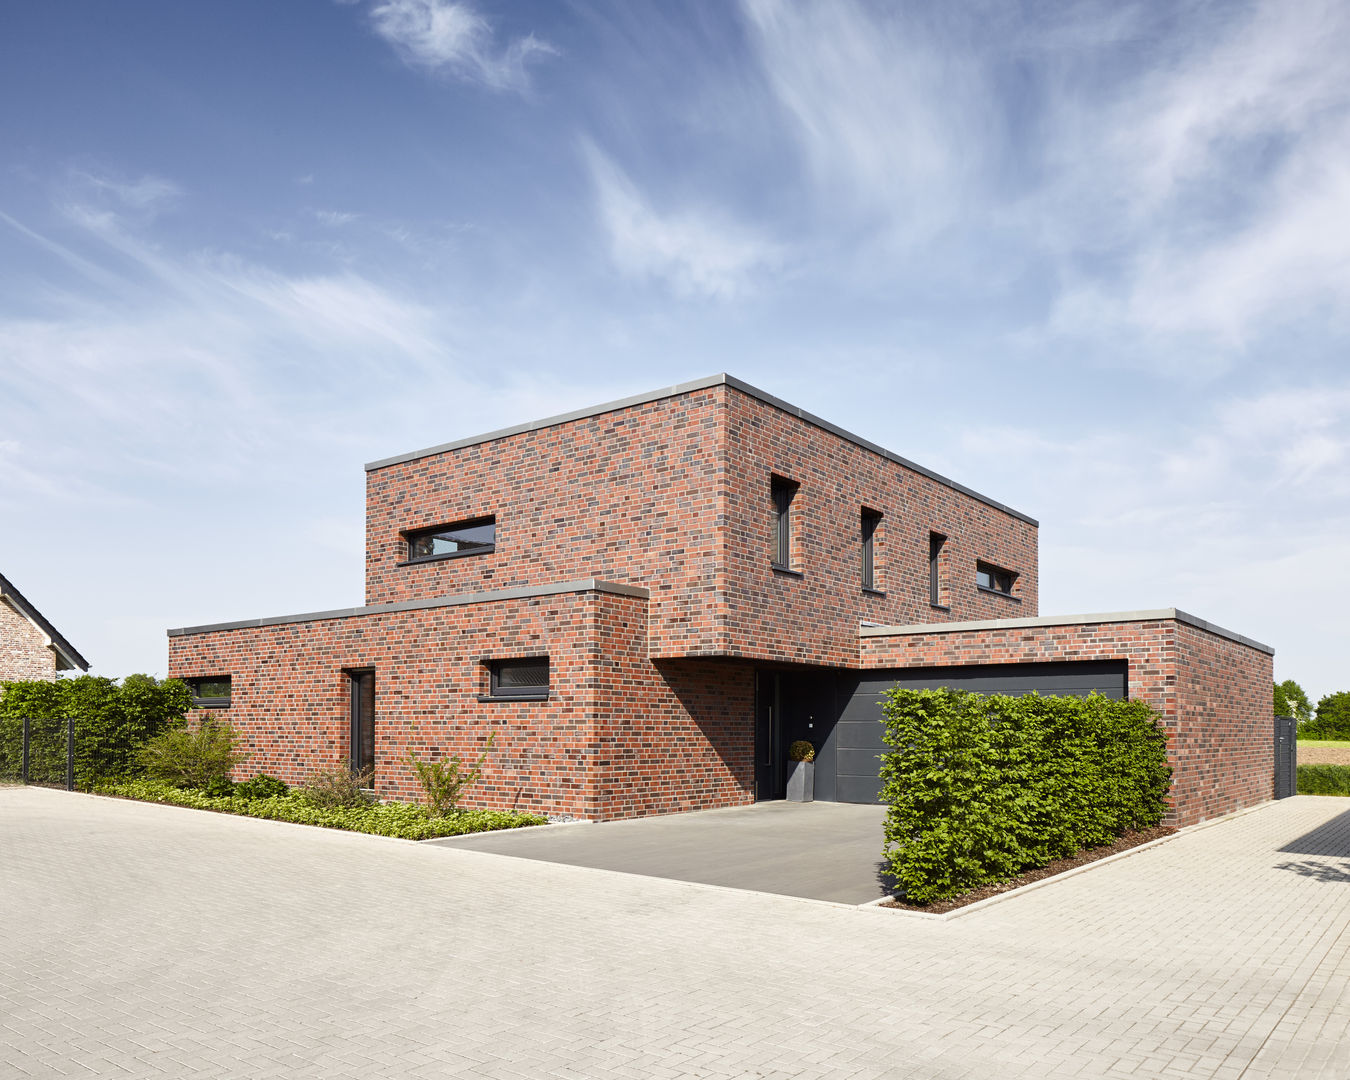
column 618, row 738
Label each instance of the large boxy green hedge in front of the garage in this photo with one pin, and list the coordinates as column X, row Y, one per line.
column 982, row 788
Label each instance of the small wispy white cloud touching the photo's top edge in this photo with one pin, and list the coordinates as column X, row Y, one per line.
column 452, row 37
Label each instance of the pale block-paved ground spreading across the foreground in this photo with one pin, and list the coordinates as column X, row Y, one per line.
column 153, row 942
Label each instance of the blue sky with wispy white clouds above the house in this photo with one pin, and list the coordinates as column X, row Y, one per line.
column 1089, row 259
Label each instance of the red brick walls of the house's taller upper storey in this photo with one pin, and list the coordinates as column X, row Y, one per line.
column 674, row 496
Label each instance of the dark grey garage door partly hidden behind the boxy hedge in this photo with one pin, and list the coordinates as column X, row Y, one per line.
column 858, row 734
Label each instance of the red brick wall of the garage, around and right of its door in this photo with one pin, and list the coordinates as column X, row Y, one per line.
column 1213, row 693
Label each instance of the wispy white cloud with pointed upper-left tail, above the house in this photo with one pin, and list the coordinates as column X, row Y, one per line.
column 695, row 252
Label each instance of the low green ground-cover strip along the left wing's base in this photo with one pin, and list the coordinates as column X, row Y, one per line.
column 399, row 820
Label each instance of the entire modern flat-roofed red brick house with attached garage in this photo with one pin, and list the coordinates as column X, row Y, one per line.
column 647, row 601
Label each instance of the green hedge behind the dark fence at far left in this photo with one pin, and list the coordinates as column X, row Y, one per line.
column 113, row 723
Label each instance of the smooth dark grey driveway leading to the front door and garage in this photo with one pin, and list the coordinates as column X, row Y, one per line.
column 823, row 851
